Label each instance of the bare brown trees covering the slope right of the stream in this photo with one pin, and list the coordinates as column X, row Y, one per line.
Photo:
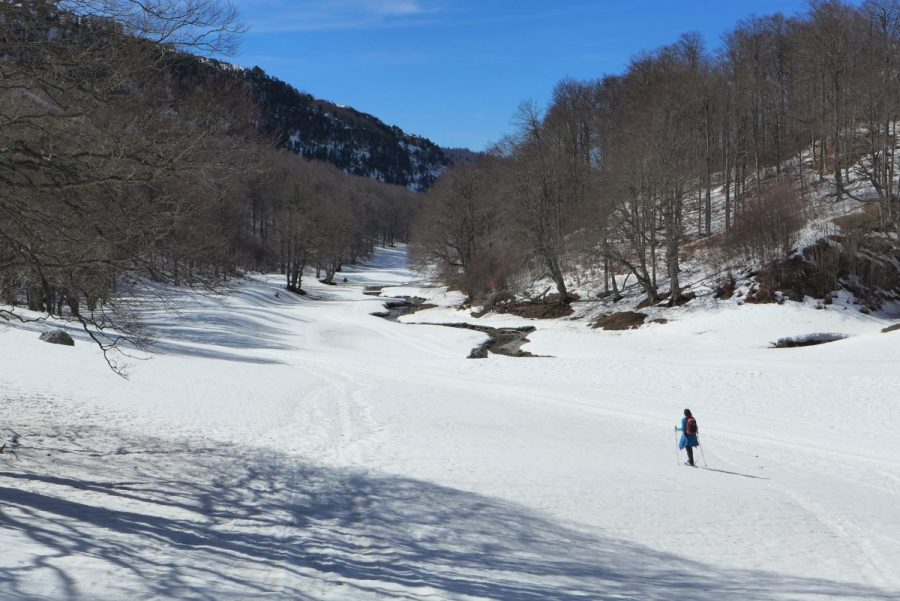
column 618, row 174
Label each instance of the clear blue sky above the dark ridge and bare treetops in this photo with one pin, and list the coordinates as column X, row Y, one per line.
column 454, row 71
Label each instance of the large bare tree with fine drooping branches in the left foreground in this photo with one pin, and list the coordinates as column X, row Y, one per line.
column 99, row 151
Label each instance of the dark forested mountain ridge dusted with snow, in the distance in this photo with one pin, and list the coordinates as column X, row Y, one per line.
column 355, row 142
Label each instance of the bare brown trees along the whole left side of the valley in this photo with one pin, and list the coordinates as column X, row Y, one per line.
column 126, row 159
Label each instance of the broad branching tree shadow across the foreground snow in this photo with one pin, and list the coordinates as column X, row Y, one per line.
column 180, row 522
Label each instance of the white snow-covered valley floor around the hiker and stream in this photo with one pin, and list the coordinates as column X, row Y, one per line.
column 281, row 447
